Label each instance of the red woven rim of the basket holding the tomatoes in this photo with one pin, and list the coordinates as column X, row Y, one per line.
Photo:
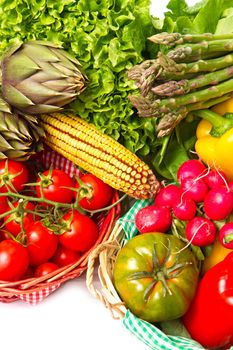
column 10, row 291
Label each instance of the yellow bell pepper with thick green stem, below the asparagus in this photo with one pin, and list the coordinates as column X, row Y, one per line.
column 214, row 144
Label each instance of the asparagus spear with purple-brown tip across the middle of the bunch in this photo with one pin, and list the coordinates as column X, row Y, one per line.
column 173, row 88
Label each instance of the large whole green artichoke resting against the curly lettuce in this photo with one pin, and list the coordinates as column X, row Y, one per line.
column 40, row 77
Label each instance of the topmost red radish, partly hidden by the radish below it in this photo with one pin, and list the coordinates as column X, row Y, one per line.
column 191, row 168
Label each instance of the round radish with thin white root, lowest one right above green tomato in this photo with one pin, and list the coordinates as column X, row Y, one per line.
column 200, row 231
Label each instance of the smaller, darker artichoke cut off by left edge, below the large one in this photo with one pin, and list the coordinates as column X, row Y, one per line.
column 20, row 135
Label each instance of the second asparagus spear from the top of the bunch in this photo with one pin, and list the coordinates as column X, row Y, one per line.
column 202, row 50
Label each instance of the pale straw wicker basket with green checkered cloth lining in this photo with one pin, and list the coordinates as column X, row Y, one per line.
column 102, row 260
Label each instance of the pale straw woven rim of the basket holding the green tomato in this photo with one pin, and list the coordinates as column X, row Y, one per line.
column 102, row 260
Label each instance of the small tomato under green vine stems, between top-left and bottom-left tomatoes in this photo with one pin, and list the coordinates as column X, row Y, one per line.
column 16, row 221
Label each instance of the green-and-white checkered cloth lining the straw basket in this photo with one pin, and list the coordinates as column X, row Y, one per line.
column 150, row 335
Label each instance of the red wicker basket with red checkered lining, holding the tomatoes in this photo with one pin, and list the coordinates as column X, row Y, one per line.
column 34, row 290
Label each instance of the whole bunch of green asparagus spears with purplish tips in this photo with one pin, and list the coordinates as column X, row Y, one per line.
column 196, row 72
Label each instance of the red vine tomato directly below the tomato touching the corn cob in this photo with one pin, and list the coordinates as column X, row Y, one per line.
column 81, row 234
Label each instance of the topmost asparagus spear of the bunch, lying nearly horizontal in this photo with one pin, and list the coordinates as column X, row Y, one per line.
column 172, row 39
